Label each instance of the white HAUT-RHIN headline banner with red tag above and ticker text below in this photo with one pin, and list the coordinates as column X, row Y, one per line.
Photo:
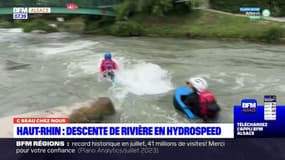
column 58, row 136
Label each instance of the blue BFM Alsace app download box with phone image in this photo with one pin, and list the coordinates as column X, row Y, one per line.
column 253, row 120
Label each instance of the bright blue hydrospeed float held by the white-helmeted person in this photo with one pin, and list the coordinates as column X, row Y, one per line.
column 179, row 95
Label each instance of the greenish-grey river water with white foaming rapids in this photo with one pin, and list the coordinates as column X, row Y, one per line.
column 42, row 71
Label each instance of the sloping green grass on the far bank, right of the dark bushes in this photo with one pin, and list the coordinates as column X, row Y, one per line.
column 208, row 24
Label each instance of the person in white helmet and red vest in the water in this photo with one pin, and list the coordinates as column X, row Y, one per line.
column 201, row 101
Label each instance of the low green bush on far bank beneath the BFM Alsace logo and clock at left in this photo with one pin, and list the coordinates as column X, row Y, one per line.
column 38, row 25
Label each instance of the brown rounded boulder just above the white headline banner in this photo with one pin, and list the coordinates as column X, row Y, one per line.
column 93, row 112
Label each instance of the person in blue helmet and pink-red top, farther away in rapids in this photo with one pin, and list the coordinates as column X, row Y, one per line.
column 108, row 66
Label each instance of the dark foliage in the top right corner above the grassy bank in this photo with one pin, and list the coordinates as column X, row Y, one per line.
column 277, row 7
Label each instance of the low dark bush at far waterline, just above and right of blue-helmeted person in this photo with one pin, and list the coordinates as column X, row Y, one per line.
column 126, row 28
